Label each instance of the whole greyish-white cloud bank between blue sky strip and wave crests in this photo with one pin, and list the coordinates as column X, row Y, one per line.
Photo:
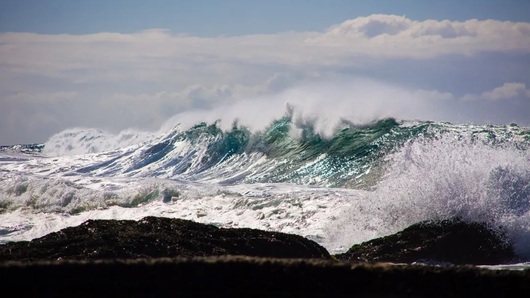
column 114, row 81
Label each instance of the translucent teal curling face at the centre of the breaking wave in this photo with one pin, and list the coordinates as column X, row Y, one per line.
column 304, row 157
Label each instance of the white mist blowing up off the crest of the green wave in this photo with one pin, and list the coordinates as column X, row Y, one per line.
column 324, row 105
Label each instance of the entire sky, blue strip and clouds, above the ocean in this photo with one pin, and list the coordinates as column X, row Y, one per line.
column 143, row 65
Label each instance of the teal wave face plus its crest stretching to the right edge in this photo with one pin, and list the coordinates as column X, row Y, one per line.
column 353, row 157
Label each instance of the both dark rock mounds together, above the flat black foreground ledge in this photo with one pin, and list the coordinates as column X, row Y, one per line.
column 449, row 241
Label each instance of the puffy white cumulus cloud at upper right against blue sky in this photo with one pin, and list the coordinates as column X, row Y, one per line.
column 406, row 38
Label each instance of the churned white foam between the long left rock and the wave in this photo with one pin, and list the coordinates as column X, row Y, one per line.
column 278, row 207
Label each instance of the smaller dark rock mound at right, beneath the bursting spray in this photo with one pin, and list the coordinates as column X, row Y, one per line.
column 448, row 241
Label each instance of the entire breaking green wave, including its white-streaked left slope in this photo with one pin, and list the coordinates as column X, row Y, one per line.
column 290, row 151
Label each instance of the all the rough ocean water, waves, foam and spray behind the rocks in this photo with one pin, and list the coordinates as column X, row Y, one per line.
column 352, row 184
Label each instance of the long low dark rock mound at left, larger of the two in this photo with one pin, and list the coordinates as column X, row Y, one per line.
column 156, row 237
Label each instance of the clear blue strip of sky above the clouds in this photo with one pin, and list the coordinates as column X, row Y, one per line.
column 233, row 17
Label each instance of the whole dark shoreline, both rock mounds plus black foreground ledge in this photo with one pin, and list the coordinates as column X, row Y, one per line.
column 161, row 256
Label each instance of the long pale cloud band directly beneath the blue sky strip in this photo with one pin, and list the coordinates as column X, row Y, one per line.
column 154, row 53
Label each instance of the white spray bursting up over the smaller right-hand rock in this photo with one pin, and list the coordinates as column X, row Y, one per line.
column 449, row 176
